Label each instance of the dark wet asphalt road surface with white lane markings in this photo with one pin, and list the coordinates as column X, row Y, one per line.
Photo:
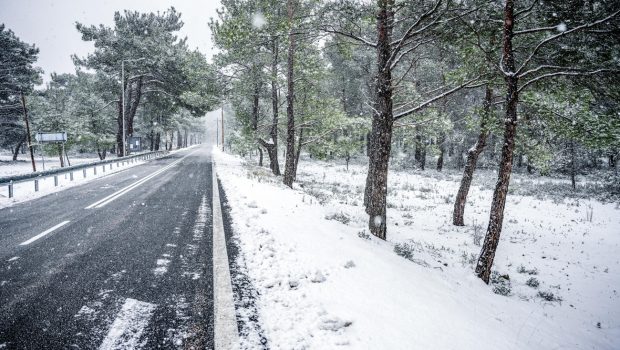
column 123, row 261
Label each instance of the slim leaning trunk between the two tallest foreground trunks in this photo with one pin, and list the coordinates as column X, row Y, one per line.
column 472, row 160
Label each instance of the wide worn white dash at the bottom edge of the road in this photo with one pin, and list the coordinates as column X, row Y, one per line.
column 128, row 326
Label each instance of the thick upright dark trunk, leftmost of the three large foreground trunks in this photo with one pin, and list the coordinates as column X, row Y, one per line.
column 382, row 123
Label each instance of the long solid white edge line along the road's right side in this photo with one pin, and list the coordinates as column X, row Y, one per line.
column 225, row 319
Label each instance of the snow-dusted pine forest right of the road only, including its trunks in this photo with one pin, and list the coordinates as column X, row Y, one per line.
column 509, row 85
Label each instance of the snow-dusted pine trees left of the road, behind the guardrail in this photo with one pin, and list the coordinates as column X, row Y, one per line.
column 166, row 86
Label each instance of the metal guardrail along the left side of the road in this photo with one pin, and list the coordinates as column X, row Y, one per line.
column 9, row 181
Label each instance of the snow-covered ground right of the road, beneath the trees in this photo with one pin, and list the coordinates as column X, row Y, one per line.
column 324, row 282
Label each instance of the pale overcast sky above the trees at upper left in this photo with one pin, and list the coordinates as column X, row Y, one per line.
column 50, row 24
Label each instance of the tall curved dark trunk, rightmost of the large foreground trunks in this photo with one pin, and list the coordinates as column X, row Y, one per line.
column 491, row 240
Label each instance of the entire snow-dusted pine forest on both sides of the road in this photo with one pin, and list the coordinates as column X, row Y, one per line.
column 437, row 85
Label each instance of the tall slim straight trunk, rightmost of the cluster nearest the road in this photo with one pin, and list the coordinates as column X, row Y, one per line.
column 289, row 167
